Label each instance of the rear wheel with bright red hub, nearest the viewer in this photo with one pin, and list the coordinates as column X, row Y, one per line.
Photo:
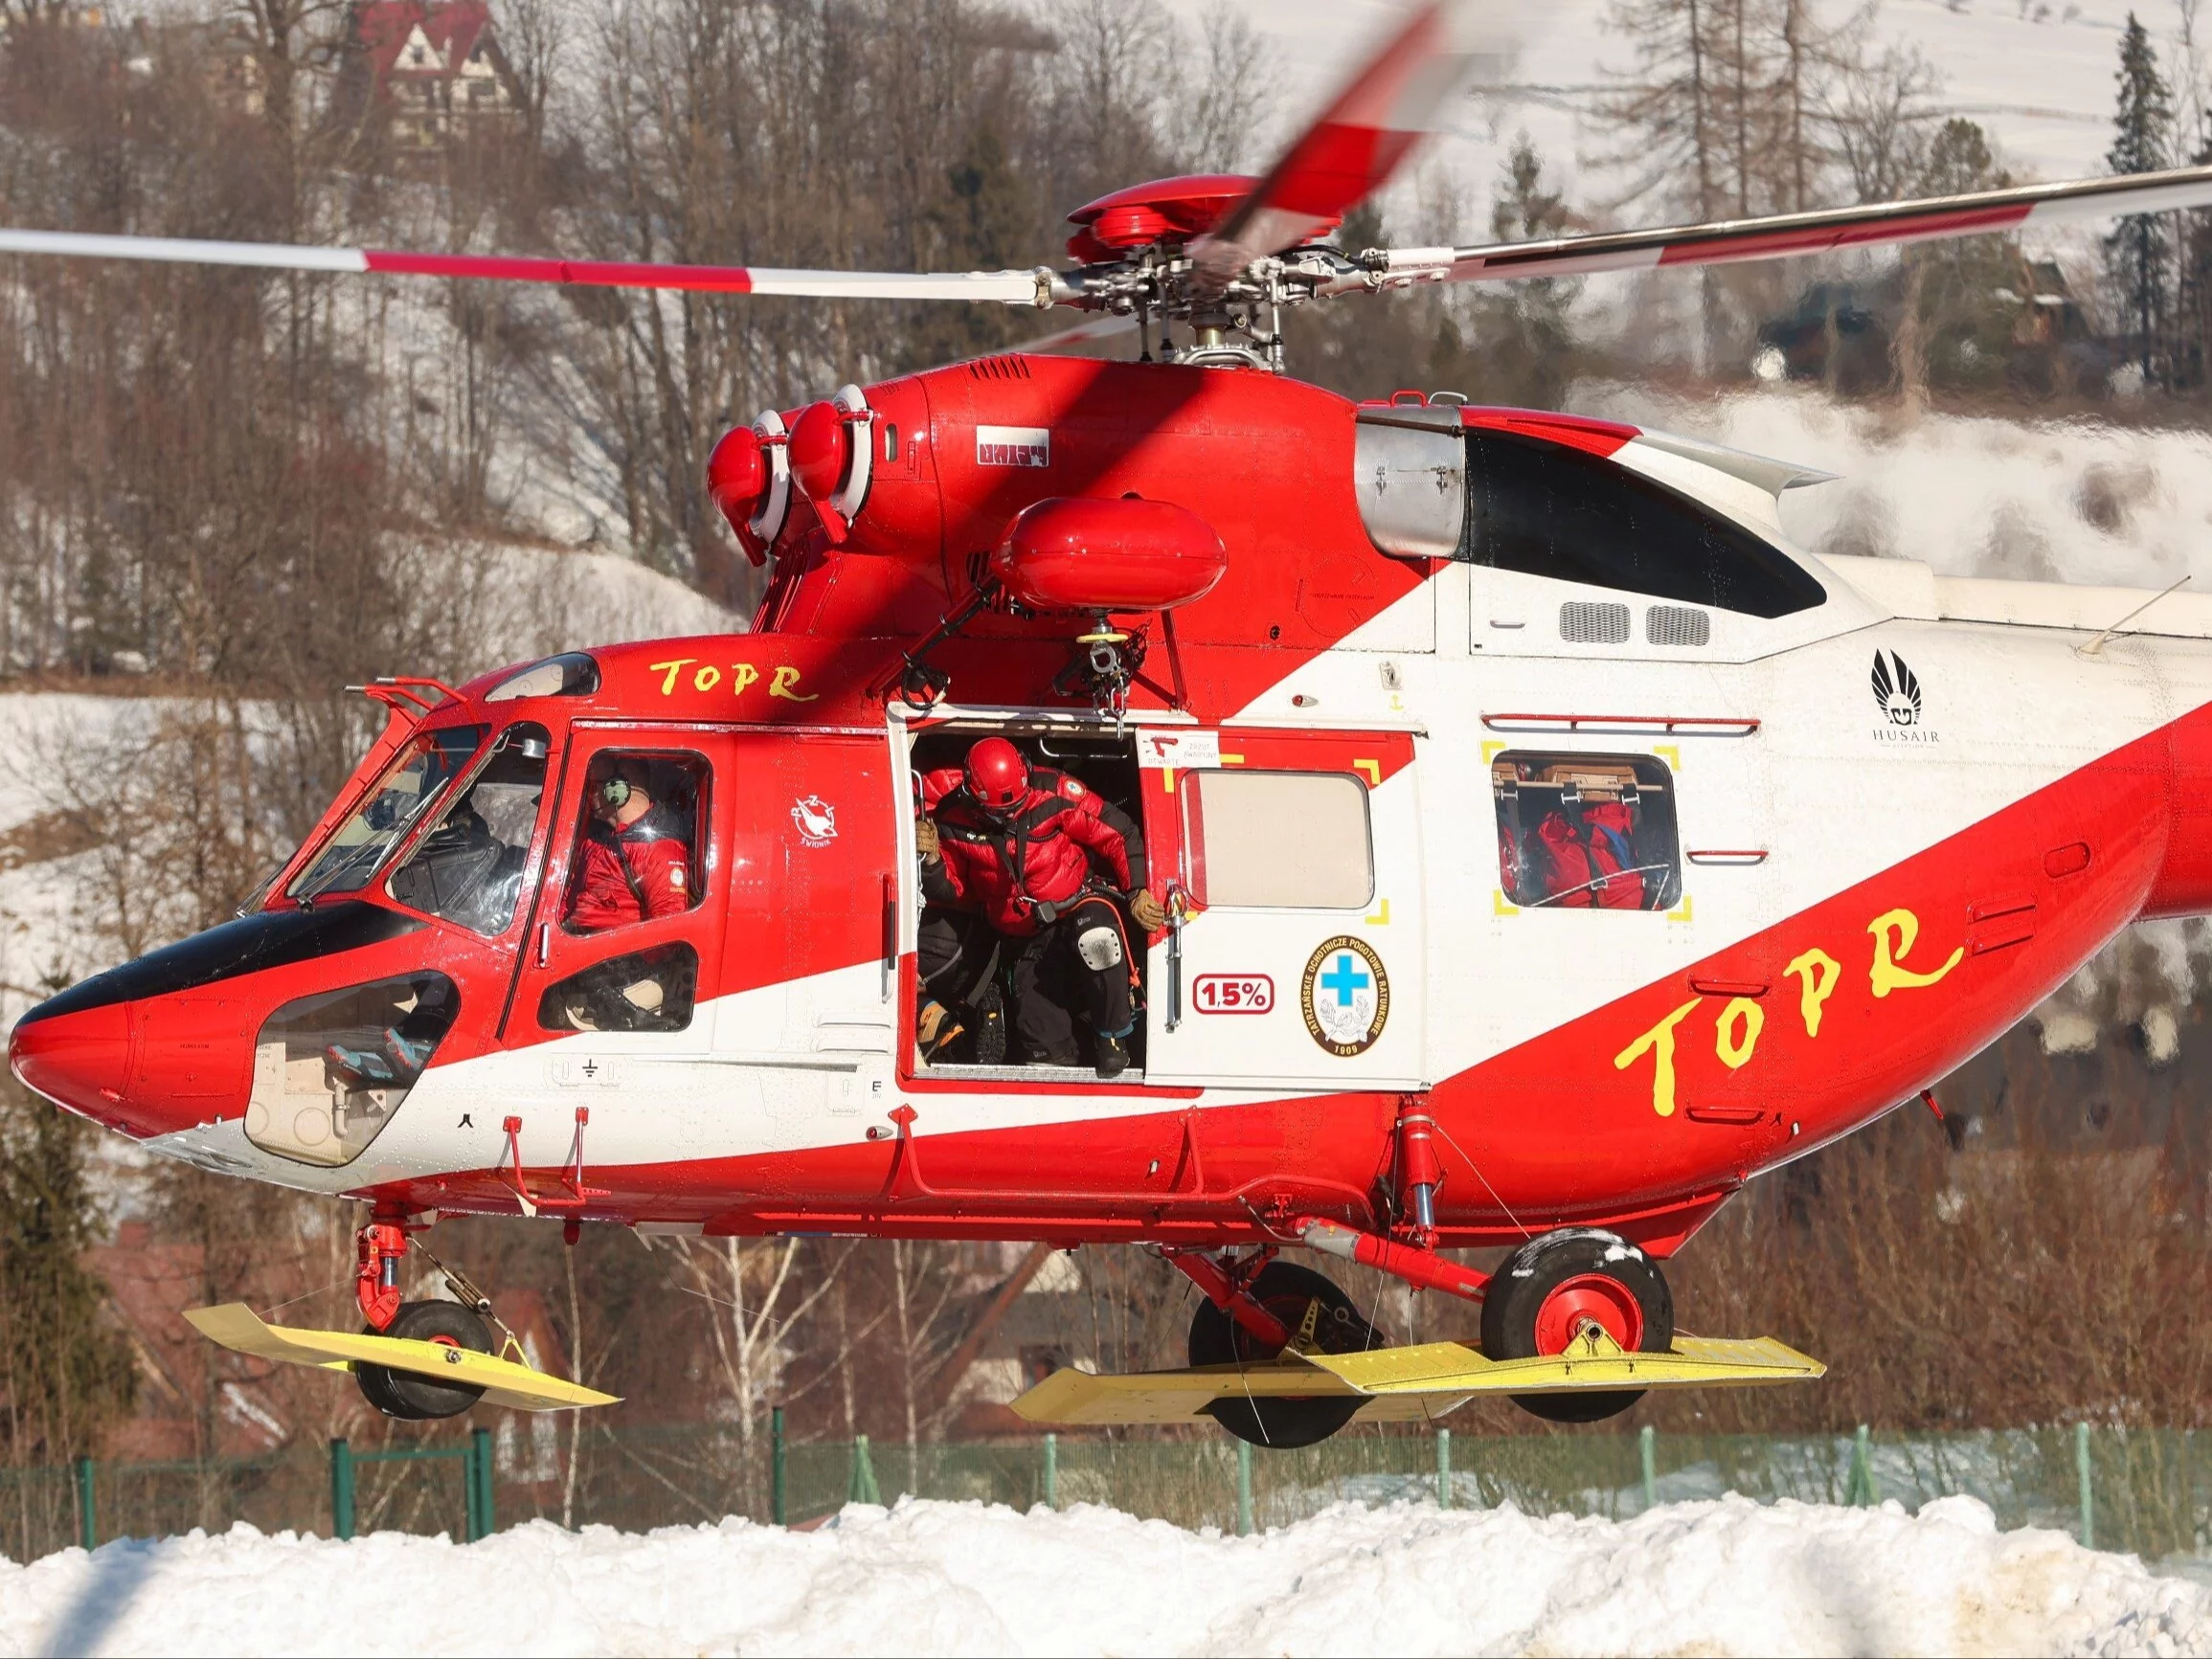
column 1543, row 1295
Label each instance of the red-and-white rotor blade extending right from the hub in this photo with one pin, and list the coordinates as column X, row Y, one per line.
column 1808, row 233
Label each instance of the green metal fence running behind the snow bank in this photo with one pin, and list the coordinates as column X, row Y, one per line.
column 2131, row 1490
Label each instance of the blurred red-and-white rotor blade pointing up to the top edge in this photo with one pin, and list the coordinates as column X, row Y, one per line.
column 1357, row 145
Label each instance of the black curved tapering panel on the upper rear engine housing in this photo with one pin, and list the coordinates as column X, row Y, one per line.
column 1550, row 510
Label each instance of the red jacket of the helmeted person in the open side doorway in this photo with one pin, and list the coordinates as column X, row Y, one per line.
column 1039, row 851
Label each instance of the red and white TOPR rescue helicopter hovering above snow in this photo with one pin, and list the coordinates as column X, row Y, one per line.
column 1543, row 857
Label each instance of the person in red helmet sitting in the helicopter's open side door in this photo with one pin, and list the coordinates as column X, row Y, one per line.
column 1039, row 862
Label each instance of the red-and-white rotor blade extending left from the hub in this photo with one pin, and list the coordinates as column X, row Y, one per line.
column 1005, row 286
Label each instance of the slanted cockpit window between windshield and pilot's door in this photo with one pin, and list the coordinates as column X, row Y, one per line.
column 470, row 866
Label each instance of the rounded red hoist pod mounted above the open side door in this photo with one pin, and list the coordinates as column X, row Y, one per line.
column 1078, row 554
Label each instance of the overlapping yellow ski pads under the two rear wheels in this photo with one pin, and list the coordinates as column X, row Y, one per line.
column 1410, row 1384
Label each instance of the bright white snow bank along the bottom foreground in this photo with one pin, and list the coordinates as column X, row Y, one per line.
column 930, row 1578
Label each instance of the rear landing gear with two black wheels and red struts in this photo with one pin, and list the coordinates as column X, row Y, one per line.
column 1552, row 1295
